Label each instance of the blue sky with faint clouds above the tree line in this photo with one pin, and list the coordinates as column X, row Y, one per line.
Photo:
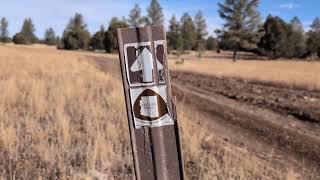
column 56, row 13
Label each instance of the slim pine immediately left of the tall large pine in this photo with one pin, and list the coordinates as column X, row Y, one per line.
column 201, row 28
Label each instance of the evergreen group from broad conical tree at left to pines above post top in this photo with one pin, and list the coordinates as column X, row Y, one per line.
column 76, row 35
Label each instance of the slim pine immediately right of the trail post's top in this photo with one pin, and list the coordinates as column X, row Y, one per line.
column 174, row 35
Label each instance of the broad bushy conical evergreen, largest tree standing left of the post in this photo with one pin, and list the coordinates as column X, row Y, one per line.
column 76, row 35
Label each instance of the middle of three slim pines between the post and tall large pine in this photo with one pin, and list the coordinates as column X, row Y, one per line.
column 188, row 32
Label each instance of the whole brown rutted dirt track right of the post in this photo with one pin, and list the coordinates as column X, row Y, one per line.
column 259, row 117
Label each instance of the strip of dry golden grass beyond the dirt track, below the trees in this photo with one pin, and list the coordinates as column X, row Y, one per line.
column 300, row 74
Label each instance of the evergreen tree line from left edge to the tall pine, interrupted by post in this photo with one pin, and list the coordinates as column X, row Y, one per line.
column 186, row 34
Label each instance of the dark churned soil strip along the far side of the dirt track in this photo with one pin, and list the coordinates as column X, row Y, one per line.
column 301, row 104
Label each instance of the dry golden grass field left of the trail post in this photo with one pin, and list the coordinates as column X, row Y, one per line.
column 59, row 117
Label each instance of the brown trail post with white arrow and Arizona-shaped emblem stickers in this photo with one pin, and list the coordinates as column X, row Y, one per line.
column 151, row 111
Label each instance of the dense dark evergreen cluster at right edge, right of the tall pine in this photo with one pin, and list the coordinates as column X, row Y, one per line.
column 282, row 39
